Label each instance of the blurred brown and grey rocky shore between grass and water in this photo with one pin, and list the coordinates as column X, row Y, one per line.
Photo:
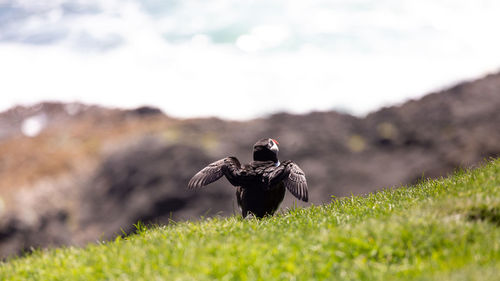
column 71, row 174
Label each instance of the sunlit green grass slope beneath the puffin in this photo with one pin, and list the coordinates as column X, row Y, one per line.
column 446, row 229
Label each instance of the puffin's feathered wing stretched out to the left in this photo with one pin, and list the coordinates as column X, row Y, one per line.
column 228, row 166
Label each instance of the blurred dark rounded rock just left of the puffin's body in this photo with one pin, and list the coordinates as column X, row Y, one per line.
column 147, row 182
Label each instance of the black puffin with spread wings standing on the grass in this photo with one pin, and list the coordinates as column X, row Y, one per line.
column 261, row 184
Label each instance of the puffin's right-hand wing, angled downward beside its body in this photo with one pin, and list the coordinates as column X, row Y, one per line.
column 294, row 180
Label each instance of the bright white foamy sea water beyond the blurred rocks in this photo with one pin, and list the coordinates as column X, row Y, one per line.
column 242, row 59
